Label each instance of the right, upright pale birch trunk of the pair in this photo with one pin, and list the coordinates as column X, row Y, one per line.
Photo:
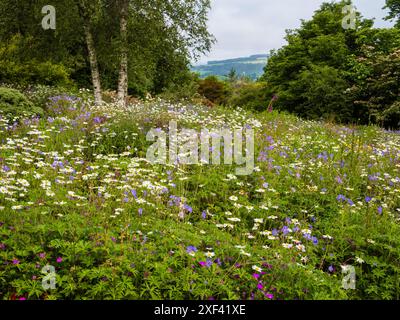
column 123, row 70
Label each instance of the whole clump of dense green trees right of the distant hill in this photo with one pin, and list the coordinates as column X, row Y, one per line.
column 331, row 73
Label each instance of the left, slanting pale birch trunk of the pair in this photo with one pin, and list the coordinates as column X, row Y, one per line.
column 94, row 67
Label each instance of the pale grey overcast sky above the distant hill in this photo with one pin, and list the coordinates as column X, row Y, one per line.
column 246, row 27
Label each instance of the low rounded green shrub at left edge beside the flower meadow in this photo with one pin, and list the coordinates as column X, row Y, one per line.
column 14, row 103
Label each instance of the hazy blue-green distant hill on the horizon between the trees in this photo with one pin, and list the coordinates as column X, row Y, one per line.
column 252, row 67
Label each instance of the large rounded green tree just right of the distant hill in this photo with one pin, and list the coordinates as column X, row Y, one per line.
column 306, row 74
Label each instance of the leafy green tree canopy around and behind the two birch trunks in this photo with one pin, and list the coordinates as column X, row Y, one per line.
column 159, row 51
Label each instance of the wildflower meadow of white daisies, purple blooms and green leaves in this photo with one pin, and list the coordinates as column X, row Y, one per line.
column 77, row 193
